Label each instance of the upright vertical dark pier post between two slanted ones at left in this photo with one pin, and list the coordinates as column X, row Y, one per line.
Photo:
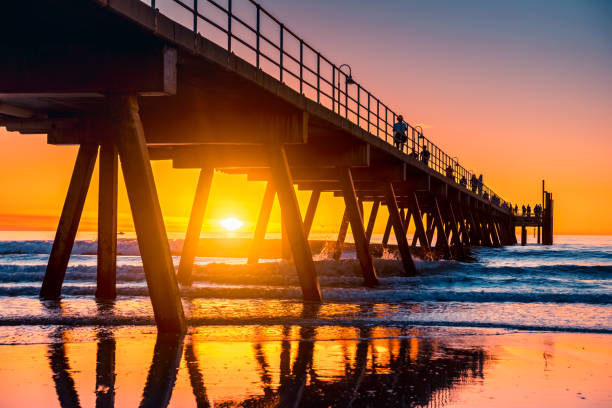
column 107, row 223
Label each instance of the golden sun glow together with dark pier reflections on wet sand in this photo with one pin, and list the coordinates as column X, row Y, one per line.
column 305, row 365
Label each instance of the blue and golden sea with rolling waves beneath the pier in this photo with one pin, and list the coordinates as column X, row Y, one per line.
column 565, row 287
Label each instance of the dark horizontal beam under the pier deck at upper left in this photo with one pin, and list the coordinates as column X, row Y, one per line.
column 50, row 67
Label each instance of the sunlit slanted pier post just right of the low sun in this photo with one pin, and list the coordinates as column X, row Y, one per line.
column 292, row 220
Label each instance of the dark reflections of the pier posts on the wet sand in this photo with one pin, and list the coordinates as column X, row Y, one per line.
column 389, row 371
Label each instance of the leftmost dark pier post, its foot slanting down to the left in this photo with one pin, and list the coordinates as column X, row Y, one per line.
column 69, row 222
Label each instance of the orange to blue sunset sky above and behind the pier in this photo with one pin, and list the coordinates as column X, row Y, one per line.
column 520, row 91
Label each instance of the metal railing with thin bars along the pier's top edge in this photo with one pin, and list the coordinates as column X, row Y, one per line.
column 245, row 28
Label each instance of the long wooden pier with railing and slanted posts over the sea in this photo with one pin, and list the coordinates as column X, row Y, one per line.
column 126, row 82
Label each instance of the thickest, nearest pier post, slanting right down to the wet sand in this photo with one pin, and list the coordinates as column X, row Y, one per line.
column 148, row 220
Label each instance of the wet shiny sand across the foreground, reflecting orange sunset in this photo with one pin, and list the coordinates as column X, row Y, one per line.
column 302, row 365
